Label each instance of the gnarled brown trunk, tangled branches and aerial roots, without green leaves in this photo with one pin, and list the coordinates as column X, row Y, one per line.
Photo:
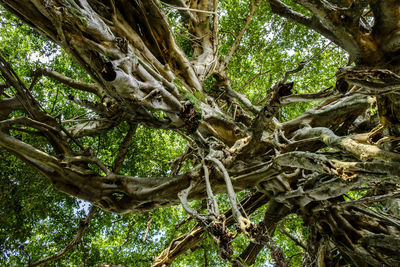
column 129, row 50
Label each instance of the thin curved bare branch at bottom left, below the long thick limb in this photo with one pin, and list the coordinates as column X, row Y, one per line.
column 83, row 224
